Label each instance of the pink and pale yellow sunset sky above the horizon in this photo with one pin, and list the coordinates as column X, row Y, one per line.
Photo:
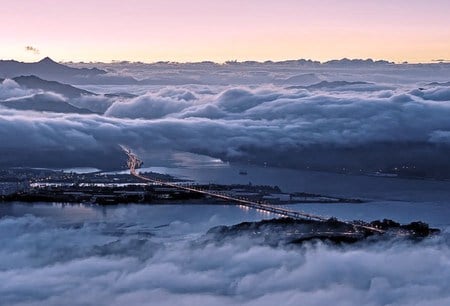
column 197, row 30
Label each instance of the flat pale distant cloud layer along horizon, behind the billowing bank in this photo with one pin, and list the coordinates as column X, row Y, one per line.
column 282, row 73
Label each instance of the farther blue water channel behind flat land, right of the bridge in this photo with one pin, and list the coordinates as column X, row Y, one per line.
column 332, row 184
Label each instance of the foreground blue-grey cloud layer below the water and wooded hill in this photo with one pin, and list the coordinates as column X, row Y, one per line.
column 121, row 259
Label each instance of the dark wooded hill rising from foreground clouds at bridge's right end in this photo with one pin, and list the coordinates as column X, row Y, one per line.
column 285, row 231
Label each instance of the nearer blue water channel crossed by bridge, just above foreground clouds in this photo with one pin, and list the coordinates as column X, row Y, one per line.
column 206, row 216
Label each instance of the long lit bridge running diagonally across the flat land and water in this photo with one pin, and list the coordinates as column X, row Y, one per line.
column 134, row 163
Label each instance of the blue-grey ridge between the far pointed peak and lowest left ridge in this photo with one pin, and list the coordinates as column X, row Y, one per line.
column 34, row 82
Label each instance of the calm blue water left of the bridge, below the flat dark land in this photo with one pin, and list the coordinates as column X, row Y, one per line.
column 201, row 216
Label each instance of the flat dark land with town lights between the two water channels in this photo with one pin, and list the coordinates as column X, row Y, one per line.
column 43, row 185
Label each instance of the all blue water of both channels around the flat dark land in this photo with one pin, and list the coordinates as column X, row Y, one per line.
column 393, row 198
